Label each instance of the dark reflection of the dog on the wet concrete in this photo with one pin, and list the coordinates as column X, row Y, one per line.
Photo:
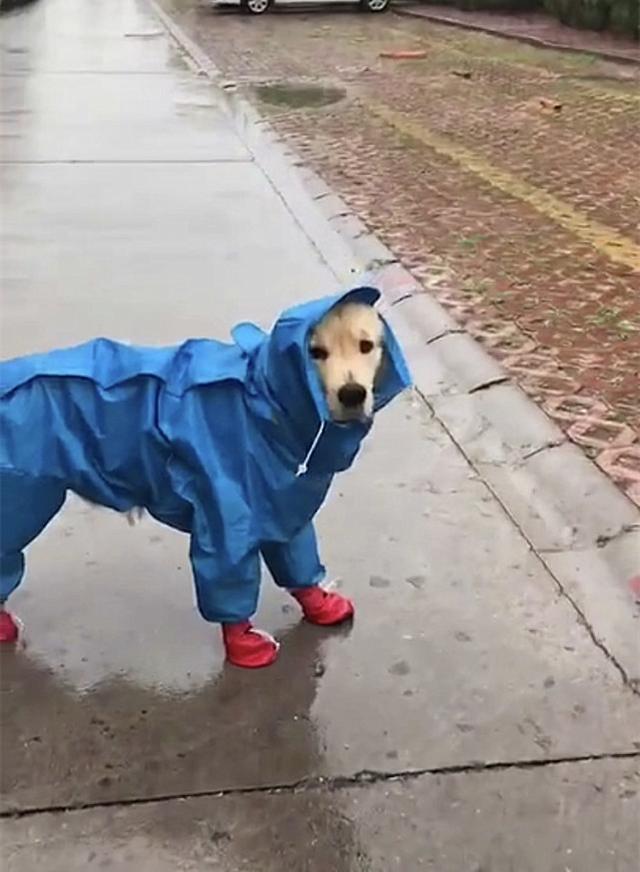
column 120, row 742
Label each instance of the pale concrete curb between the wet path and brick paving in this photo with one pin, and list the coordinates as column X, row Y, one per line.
column 582, row 528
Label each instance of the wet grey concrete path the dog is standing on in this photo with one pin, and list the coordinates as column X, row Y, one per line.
column 470, row 720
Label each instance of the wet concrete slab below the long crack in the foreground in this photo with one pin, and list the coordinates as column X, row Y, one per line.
column 562, row 818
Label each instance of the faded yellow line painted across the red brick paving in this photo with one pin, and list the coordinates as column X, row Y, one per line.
column 603, row 238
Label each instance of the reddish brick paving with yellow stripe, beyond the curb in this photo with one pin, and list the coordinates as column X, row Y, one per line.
column 502, row 175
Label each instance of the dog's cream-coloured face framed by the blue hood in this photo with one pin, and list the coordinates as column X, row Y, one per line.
column 347, row 347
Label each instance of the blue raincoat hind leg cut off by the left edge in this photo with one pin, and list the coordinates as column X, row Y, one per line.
column 27, row 504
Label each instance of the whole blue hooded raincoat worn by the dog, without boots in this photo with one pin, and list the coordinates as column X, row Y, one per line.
column 231, row 443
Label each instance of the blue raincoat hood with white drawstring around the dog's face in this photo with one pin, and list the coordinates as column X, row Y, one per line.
column 284, row 387
